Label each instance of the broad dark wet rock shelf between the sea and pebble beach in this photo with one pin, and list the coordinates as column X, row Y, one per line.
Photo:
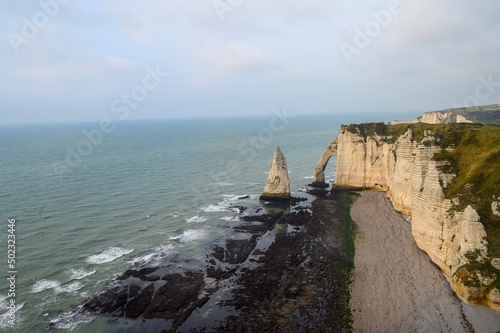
column 277, row 272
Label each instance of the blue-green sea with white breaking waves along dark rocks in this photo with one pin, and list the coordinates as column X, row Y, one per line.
column 86, row 201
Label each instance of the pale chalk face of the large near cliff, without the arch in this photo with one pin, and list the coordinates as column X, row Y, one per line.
column 415, row 181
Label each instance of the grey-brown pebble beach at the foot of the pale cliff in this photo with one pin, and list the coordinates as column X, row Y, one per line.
column 396, row 287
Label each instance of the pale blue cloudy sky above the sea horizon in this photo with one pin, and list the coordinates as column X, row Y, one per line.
column 68, row 60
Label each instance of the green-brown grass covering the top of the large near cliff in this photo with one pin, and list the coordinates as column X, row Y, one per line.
column 475, row 160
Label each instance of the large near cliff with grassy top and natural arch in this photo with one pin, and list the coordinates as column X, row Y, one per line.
column 446, row 178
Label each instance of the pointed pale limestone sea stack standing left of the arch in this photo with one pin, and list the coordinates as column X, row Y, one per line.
column 278, row 184
